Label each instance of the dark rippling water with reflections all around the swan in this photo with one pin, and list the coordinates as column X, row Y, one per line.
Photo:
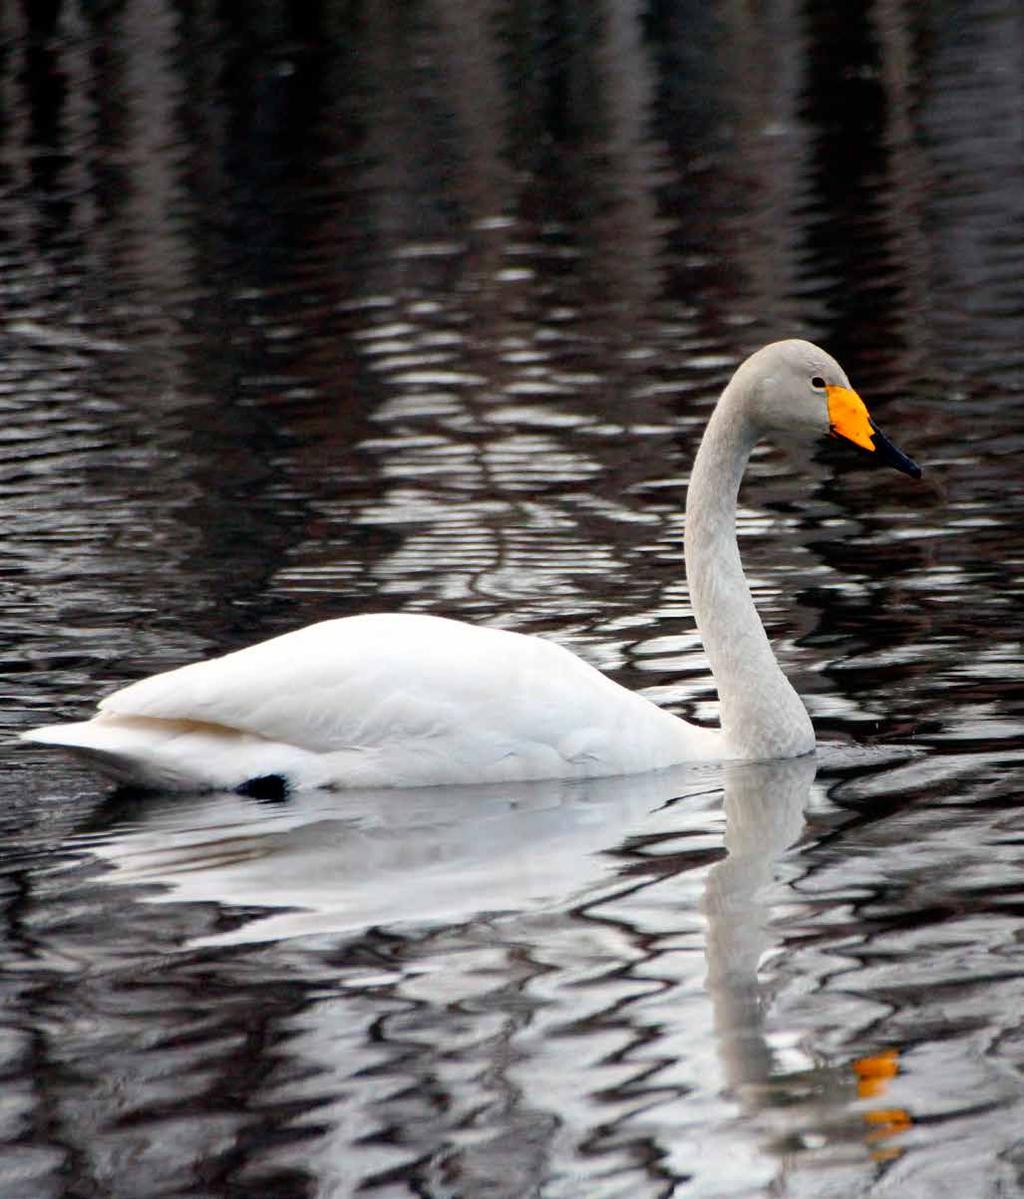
column 327, row 309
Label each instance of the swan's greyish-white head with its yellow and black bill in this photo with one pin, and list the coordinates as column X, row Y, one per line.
column 794, row 389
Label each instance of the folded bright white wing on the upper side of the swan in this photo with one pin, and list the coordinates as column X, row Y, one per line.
column 372, row 680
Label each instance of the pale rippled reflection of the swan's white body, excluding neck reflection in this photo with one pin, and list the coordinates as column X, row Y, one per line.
column 334, row 863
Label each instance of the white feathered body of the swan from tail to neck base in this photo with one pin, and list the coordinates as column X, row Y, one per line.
column 382, row 701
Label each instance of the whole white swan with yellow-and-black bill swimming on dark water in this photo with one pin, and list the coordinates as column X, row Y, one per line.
column 412, row 701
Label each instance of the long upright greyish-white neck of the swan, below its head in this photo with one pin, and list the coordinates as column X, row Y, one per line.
column 762, row 715
